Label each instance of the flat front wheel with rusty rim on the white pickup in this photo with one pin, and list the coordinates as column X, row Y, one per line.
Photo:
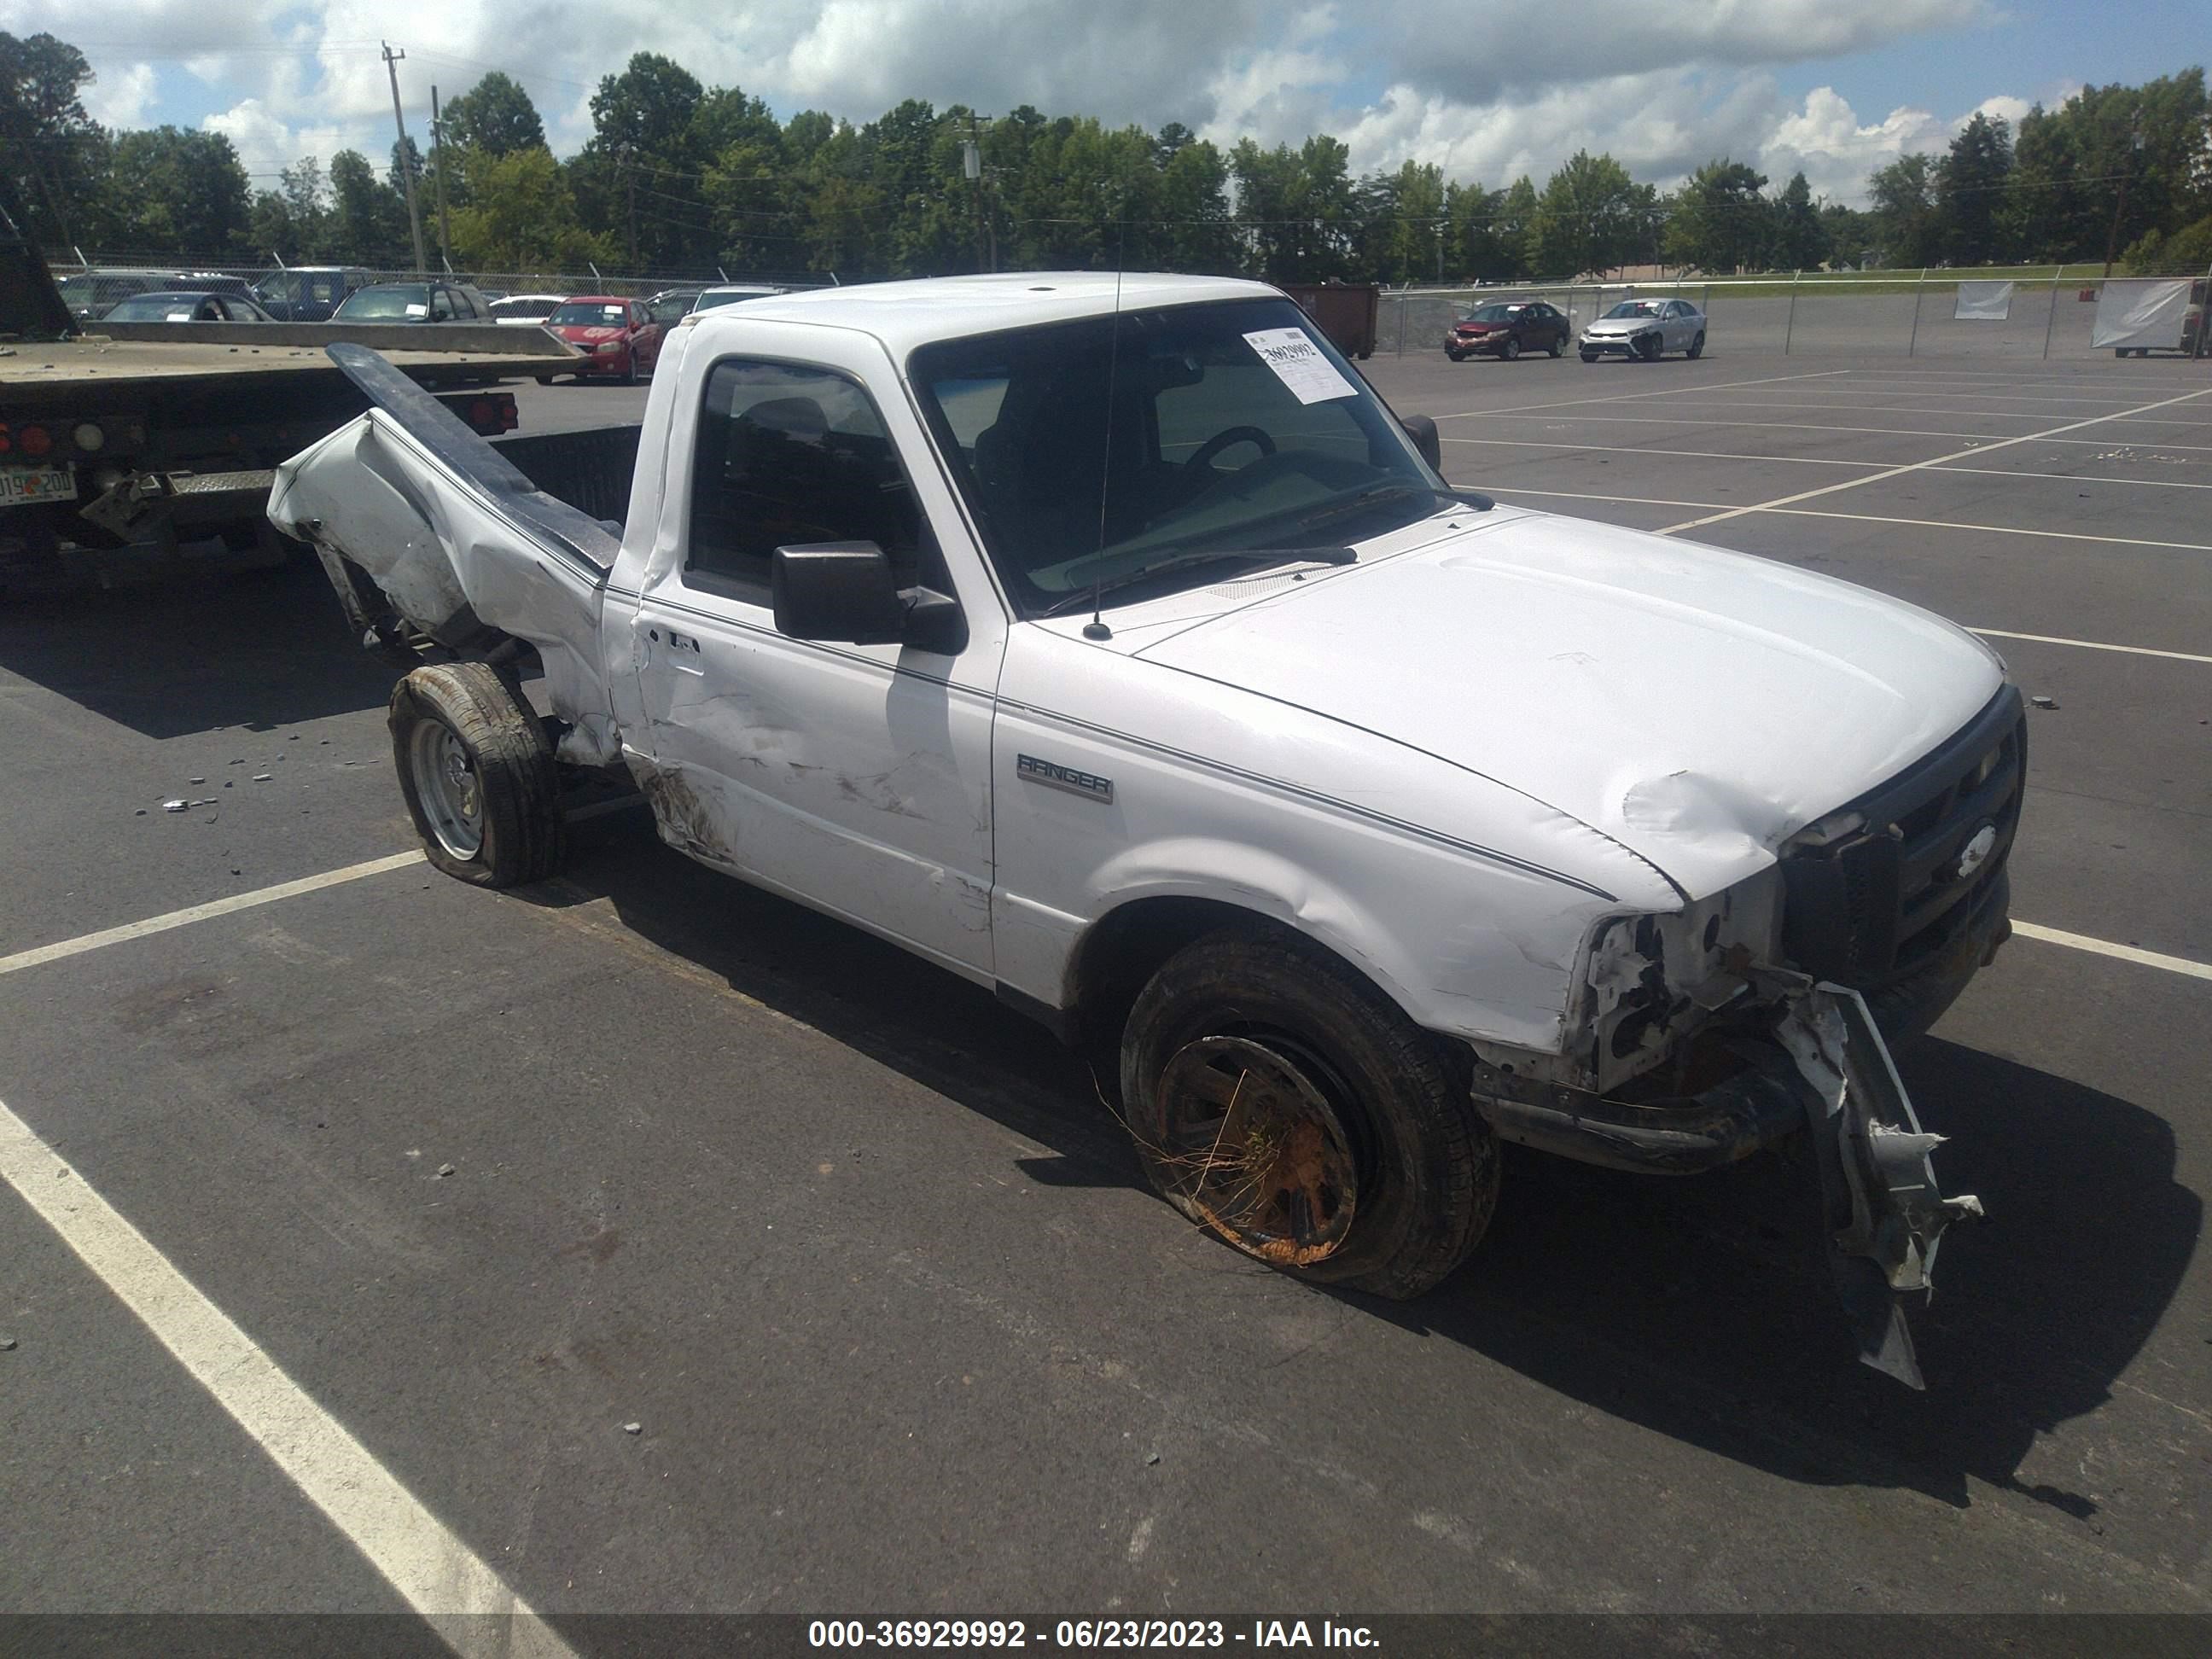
column 1293, row 1112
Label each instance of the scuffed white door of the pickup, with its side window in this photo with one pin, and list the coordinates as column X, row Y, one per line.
column 851, row 778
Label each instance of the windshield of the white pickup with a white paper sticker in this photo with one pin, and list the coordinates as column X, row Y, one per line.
column 1235, row 426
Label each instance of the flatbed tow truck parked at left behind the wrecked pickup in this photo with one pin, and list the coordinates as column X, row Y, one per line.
column 134, row 450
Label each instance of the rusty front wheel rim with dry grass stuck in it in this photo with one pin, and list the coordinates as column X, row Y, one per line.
column 1255, row 1151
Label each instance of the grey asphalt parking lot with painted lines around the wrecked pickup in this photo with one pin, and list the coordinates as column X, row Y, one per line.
column 446, row 1189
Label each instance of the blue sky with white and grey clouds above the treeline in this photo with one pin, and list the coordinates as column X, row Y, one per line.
column 1833, row 87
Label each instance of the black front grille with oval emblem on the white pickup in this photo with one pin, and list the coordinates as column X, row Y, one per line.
column 1888, row 901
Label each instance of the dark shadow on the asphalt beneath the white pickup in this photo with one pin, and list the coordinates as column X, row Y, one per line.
column 1695, row 1308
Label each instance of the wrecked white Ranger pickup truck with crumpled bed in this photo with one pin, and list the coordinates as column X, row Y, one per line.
column 1109, row 643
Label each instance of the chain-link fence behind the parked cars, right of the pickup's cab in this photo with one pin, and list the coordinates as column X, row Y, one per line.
column 2045, row 315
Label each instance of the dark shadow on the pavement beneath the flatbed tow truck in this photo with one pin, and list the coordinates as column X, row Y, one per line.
column 262, row 649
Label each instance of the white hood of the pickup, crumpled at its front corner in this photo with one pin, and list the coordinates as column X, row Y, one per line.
column 1698, row 707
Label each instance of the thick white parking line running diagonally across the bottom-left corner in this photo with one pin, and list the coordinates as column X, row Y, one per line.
column 413, row 1550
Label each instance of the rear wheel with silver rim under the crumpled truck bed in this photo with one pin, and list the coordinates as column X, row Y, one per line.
column 479, row 775
